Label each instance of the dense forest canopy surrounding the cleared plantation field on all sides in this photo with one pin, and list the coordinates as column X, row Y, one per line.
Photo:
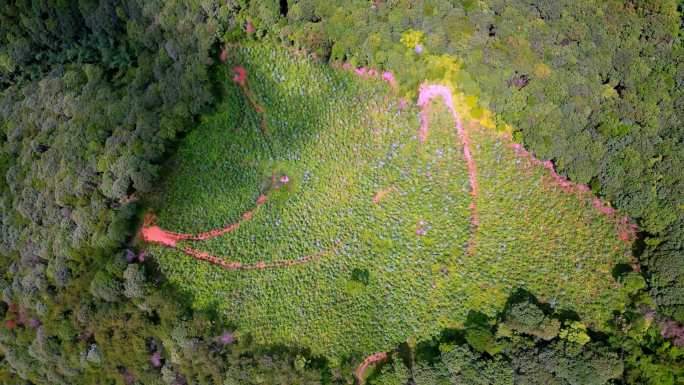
column 96, row 94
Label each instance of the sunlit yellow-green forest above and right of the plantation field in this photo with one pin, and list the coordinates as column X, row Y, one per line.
column 597, row 87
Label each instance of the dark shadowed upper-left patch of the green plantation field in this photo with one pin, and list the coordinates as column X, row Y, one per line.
column 281, row 143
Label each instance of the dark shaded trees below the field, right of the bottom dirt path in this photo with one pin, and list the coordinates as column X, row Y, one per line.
column 523, row 358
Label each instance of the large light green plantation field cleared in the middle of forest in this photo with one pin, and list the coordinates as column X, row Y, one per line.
column 389, row 216
